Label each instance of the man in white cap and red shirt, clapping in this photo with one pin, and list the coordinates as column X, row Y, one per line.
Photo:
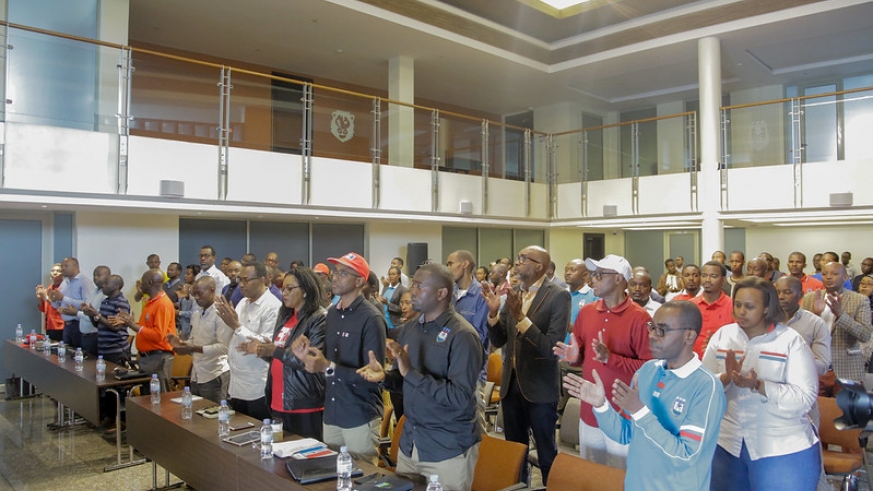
column 609, row 335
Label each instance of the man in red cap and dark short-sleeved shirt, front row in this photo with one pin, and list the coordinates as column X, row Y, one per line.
column 354, row 328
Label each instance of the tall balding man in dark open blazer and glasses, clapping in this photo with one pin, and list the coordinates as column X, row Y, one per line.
column 534, row 318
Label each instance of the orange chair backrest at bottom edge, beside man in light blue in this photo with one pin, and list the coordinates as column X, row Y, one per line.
column 571, row 473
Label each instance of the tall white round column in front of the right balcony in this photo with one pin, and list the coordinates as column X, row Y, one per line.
column 709, row 75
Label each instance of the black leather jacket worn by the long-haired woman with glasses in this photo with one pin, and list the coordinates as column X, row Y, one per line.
column 303, row 390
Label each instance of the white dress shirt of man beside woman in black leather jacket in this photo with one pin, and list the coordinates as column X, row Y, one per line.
column 248, row 373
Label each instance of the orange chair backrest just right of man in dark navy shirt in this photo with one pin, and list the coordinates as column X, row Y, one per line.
column 499, row 464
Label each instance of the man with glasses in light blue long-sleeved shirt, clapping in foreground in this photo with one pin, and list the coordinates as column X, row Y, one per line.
column 671, row 412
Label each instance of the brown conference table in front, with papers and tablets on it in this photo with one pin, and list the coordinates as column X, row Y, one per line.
column 192, row 450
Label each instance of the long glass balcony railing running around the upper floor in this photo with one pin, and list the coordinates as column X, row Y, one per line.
column 60, row 80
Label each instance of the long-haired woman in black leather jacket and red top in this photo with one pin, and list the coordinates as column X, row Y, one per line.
column 293, row 394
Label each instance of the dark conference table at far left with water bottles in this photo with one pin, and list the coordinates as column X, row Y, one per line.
column 79, row 391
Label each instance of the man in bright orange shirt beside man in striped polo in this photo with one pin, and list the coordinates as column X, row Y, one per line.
column 158, row 319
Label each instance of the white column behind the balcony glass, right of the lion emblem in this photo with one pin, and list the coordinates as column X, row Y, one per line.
column 401, row 119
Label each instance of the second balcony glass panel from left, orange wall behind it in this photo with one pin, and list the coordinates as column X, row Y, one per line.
column 174, row 99
